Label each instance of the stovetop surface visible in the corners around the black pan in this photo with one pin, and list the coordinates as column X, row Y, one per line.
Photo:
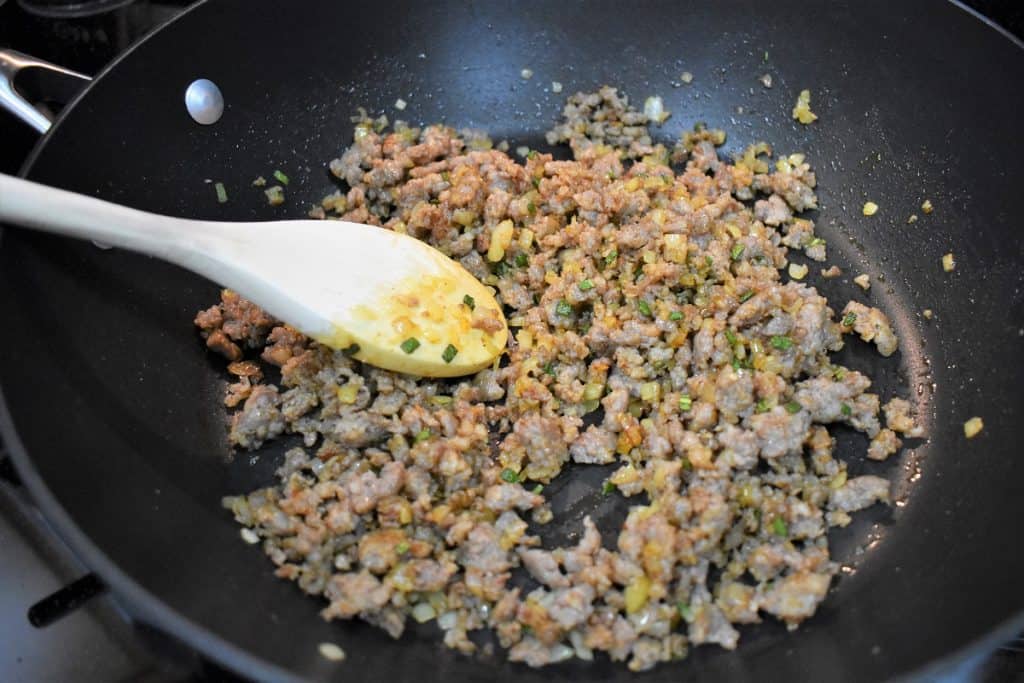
column 58, row 623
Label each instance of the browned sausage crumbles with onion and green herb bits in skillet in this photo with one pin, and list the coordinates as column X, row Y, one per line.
column 653, row 330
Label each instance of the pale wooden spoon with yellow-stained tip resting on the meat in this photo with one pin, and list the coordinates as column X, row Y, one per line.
column 388, row 298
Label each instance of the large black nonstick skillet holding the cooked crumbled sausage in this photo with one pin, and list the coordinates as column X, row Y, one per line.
column 112, row 407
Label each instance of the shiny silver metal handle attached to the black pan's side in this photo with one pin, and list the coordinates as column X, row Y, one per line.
column 54, row 80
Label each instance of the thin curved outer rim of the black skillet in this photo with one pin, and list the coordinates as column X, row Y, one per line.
column 150, row 609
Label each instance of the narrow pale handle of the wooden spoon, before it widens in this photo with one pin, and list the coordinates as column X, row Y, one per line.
column 40, row 207
